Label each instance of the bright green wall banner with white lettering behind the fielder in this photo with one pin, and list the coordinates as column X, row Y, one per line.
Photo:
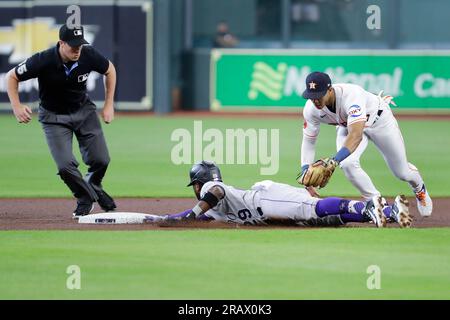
column 268, row 79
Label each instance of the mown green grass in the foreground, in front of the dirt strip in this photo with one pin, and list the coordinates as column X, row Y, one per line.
column 227, row 264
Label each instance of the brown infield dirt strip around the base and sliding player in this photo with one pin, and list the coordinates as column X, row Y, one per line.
column 56, row 214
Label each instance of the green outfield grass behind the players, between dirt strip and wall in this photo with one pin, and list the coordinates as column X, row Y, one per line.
column 140, row 149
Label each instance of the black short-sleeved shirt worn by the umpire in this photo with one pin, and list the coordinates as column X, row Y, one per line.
column 62, row 87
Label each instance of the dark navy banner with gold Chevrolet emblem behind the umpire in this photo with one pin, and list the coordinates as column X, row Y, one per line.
column 120, row 30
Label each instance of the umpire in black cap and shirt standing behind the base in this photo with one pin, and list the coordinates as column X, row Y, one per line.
column 65, row 109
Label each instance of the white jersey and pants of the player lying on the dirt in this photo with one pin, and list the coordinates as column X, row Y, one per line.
column 265, row 201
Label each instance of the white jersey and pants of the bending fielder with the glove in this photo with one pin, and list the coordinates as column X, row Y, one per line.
column 354, row 104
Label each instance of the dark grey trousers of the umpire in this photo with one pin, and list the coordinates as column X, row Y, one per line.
column 59, row 130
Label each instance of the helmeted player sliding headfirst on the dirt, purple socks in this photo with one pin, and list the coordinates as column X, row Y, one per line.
column 268, row 202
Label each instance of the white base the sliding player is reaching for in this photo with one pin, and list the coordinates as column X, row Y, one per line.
column 115, row 218
